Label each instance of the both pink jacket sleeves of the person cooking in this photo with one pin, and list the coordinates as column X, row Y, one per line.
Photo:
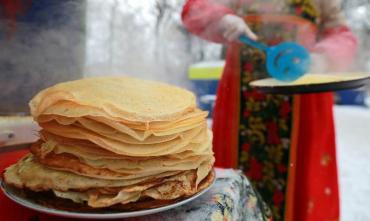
column 336, row 41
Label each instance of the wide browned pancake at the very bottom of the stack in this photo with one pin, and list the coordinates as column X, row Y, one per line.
column 44, row 179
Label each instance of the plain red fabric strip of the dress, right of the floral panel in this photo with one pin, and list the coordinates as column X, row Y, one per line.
column 316, row 195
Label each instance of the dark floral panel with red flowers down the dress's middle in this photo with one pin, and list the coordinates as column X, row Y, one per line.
column 266, row 120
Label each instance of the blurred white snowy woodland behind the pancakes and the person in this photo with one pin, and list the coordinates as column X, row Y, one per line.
column 147, row 39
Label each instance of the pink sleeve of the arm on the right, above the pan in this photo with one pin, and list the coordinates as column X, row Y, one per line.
column 337, row 42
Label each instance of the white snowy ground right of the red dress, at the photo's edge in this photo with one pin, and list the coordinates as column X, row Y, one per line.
column 353, row 141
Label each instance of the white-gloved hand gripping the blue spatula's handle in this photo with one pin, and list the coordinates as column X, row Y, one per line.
column 233, row 26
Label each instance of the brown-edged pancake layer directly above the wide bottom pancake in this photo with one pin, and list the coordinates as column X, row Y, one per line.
column 118, row 168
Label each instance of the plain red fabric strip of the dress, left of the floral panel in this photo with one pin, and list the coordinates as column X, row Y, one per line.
column 225, row 129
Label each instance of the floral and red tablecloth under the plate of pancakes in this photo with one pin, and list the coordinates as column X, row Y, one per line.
column 231, row 198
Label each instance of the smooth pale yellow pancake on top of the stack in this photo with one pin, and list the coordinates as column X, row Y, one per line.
column 120, row 97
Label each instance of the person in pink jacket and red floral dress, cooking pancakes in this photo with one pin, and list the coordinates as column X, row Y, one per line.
column 284, row 144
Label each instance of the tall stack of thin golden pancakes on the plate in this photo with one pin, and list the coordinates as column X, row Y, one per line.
column 110, row 141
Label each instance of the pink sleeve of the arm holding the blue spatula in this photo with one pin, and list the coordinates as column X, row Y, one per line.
column 201, row 17
